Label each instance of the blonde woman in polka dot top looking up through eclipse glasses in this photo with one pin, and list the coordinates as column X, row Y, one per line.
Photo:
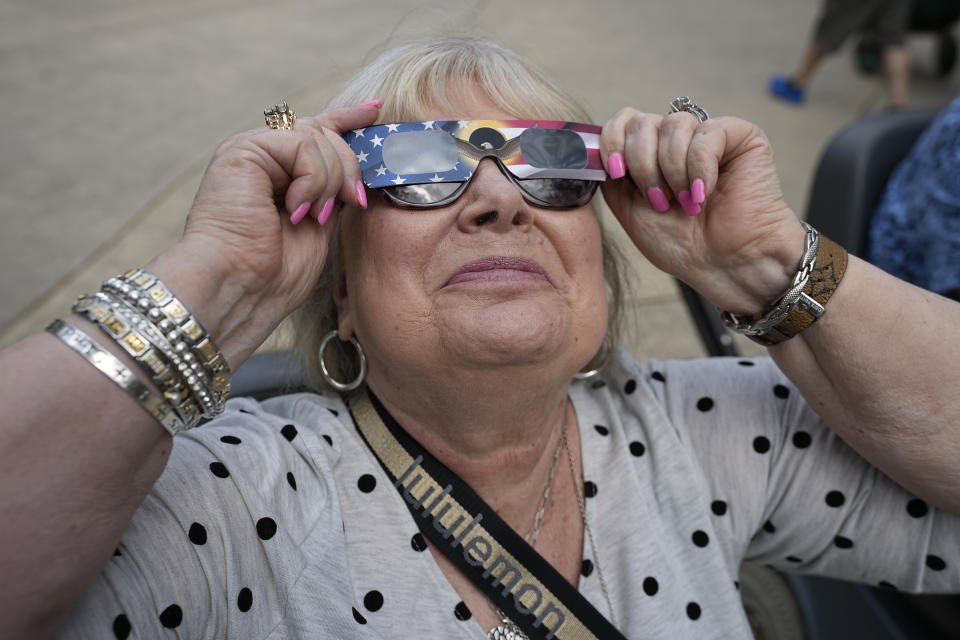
column 472, row 481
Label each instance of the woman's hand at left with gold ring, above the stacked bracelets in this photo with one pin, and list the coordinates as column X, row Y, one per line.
column 246, row 260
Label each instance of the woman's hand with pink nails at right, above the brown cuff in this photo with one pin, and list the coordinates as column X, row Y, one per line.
column 702, row 201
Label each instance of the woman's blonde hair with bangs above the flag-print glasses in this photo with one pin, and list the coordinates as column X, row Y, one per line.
column 412, row 79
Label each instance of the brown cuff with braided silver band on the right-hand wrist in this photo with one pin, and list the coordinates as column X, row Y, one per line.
column 824, row 263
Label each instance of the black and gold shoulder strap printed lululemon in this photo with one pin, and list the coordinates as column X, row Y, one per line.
column 457, row 520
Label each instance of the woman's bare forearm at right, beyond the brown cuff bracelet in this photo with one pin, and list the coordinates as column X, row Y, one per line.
column 881, row 368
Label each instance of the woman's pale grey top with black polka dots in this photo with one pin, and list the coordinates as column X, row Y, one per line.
column 275, row 520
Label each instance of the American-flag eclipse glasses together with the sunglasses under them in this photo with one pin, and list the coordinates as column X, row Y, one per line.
column 421, row 165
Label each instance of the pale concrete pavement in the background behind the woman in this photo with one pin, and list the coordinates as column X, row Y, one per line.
column 111, row 109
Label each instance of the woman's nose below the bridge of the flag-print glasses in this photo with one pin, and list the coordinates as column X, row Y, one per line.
column 493, row 202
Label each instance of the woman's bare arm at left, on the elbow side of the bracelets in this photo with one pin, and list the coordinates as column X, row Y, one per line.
column 77, row 455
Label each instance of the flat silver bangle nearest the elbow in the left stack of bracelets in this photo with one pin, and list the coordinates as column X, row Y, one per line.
column 113, row 368
